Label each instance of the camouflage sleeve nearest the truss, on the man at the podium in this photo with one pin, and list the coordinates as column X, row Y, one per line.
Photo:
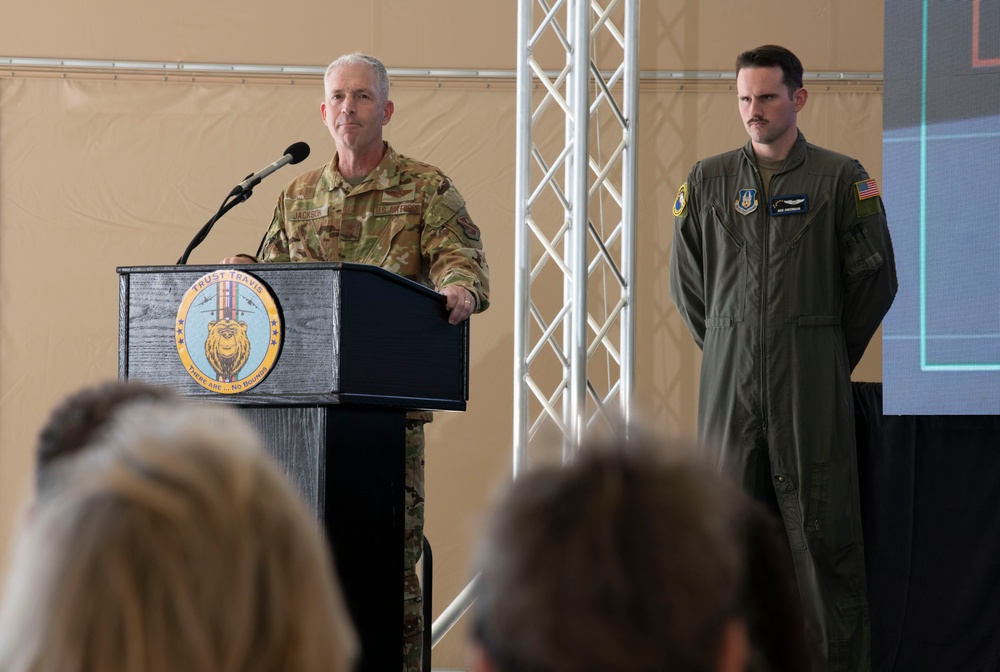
column 451, row 245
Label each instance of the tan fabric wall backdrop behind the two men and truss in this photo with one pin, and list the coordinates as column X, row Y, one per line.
column 99, row 171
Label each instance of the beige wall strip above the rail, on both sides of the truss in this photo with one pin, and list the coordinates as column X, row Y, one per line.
column 828, row 35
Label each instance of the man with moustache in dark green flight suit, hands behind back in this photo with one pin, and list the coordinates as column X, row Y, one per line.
column 782, row 268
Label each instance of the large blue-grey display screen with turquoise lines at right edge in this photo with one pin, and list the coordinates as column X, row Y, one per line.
column 941, row 161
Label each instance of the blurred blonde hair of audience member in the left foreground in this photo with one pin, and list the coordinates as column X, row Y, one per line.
column 176, row 545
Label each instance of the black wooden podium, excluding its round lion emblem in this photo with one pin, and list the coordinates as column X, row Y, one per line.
column 360, row 347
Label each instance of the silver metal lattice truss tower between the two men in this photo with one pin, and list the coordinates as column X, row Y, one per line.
column 574, row 338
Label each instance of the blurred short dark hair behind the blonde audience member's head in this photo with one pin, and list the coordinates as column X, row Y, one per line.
column 78, row 422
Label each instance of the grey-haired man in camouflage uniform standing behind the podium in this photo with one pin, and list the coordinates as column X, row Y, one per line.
column 371, row 205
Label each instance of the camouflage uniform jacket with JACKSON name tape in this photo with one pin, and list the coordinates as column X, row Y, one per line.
column 406, row 217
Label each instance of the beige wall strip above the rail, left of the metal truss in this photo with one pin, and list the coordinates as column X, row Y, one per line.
column 435, row 34
